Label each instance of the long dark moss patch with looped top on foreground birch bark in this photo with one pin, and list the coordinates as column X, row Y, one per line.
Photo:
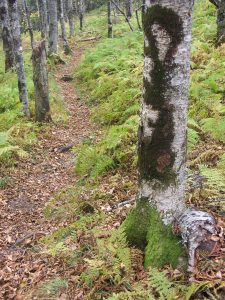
column 156, row 157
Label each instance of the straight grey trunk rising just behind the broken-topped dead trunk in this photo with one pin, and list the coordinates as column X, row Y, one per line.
column 53, row 27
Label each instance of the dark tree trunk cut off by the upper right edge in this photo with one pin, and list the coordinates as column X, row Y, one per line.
column 221, row 22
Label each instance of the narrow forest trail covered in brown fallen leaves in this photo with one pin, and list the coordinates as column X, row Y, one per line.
column 34, row 182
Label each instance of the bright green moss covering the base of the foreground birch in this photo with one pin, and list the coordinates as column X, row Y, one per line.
column 145, row 230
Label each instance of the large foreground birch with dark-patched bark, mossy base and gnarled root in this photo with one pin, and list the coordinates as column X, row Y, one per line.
column 162, row 140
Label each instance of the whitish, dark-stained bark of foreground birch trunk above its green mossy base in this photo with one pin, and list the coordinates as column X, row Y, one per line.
column 162, row 140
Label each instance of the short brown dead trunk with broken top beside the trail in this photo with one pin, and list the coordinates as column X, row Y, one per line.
column 40, row 79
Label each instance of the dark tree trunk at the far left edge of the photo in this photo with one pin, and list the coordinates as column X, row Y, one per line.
column 6, row 36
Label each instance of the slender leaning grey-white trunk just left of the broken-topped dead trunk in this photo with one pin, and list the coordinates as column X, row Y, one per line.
column 15, row 28
